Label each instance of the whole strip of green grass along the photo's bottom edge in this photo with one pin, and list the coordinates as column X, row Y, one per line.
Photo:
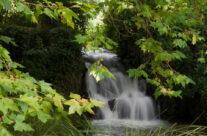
column 83, row 127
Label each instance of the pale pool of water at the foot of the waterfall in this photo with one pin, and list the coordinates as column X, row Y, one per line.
column 126, row 127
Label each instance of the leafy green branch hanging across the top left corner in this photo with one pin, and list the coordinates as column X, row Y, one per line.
column 32, row 10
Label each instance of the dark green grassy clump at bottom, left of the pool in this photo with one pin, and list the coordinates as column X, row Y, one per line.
column 61, row 127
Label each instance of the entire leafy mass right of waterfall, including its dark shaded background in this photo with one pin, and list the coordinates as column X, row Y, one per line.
column 163, row 41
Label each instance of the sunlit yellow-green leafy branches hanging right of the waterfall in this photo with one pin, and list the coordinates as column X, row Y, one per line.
column 161, row 31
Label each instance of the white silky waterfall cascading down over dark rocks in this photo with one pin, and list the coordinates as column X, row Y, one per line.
column 125, row 99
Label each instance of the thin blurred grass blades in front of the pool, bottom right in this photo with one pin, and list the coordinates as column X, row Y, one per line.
column 169, row 130
